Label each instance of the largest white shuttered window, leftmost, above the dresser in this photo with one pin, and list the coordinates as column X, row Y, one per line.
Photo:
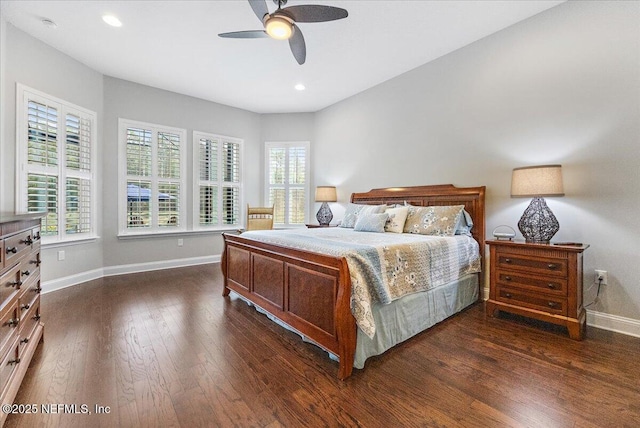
column 56, row 145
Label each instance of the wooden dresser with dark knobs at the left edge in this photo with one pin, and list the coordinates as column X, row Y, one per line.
column 20, row 326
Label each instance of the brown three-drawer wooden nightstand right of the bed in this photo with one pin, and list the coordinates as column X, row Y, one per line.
column 541, row 281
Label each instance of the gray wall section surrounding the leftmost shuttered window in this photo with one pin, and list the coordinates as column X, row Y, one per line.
column 28, row 61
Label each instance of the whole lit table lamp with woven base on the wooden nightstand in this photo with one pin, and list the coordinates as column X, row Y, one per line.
column 537, row 224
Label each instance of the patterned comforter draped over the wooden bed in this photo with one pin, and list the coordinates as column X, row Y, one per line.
column 384, row 266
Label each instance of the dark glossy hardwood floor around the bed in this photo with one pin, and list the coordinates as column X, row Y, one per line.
column 166, row 349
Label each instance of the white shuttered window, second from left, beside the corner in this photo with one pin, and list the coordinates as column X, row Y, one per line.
column 152, row 183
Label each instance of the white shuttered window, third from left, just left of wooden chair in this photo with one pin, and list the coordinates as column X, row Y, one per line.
column 218, row 181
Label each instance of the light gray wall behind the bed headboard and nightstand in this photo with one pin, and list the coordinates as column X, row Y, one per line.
column 561, row 87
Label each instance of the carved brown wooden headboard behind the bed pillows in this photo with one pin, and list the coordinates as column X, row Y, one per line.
column 443, row 194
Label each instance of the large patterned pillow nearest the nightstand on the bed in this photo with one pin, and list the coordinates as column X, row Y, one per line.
column 433, row 220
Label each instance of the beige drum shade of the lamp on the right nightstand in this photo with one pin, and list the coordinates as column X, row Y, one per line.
column 537, row 181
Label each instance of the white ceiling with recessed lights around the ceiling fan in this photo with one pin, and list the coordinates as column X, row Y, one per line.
column 174, row 45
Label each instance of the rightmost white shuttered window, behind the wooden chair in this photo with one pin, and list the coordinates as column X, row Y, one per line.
column 287, row 169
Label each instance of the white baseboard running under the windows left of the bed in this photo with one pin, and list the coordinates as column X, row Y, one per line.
column 68, row 281
